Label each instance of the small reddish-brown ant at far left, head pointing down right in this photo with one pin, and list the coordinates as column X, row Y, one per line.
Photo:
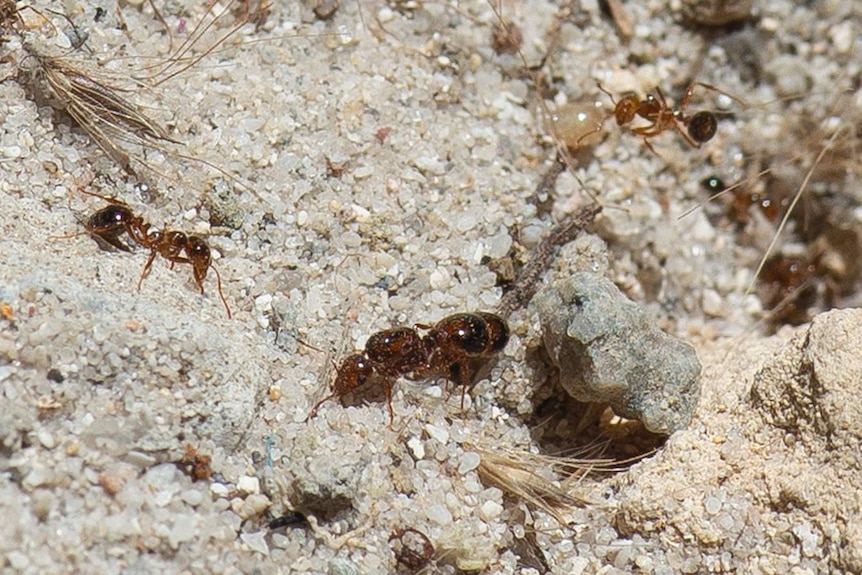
column 115, row 219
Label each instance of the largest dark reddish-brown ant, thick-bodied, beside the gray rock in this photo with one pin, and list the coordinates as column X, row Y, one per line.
column 446, row 350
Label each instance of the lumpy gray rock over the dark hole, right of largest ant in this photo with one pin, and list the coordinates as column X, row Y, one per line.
column 609, row 350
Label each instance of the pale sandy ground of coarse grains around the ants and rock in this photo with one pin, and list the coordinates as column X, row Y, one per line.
column 375, row 171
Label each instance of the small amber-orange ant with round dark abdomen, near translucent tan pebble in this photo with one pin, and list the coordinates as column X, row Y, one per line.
column 699, row 128
